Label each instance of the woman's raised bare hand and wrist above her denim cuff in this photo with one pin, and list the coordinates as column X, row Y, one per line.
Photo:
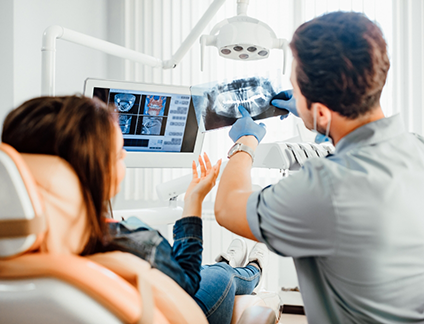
column 200, row 186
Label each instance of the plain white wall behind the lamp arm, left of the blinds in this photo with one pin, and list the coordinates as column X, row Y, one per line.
column 22, row 26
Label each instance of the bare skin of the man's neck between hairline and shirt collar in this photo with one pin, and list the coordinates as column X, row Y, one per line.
column 341, row 126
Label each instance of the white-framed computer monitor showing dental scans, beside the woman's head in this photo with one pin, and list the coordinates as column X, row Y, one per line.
column 158, row 122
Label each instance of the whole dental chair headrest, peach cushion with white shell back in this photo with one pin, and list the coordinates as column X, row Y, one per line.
column 44, row 188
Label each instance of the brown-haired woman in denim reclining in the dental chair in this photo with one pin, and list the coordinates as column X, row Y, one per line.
column 85, row 133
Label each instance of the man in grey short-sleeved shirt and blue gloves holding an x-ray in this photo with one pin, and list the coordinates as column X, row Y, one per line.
column 354, row 221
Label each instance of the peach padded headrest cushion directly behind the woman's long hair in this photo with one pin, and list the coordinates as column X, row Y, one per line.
column 65, row 210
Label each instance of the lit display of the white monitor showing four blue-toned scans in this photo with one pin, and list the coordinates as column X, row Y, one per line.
column 149, row 121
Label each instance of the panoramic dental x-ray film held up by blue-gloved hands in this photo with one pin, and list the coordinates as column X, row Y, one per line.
column 216, row 104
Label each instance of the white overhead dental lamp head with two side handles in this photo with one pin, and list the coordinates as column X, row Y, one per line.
column 243, row 38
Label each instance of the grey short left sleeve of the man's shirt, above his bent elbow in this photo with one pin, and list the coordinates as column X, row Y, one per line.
column 295, row 217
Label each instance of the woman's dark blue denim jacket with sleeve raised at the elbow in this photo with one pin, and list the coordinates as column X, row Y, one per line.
column 181, row 262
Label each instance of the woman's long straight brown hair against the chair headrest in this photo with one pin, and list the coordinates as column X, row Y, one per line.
column 81, row 131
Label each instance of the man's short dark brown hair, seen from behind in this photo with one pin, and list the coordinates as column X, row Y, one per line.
column 341, row 61
